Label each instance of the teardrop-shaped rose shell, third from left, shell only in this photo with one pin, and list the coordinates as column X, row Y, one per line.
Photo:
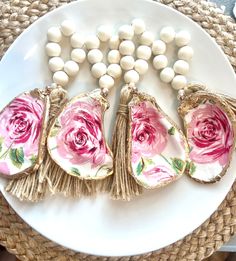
column 157, row 151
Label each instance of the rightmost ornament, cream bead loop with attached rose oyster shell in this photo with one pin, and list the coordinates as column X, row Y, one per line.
column 209, row 118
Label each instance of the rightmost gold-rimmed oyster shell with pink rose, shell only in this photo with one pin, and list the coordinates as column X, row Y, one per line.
column 210, row 130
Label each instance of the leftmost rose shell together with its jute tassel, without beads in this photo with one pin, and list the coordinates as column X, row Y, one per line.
column 24, row 125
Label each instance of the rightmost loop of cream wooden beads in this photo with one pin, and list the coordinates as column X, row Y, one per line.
column 175, row 75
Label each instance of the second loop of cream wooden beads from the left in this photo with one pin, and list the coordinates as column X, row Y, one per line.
column 106, row 75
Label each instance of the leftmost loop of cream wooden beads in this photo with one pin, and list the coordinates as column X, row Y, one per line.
column 63, row 70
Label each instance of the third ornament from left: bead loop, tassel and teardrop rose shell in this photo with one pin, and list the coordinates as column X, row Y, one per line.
column 149, row 149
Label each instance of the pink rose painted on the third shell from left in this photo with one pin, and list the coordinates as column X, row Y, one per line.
column 149, row 136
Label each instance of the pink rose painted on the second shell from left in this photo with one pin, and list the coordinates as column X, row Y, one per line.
column 80, row 139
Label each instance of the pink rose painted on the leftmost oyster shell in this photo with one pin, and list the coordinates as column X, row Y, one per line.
column 21, row 123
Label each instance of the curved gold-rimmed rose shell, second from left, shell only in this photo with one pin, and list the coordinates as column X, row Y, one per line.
column 76, row 139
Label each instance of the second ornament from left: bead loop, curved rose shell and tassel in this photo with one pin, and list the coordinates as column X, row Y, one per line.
column 76, row 143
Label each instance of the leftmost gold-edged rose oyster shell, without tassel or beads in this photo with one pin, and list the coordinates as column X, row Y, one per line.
column 23, row 133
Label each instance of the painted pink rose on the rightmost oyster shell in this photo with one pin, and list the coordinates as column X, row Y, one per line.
column 210, row 135
